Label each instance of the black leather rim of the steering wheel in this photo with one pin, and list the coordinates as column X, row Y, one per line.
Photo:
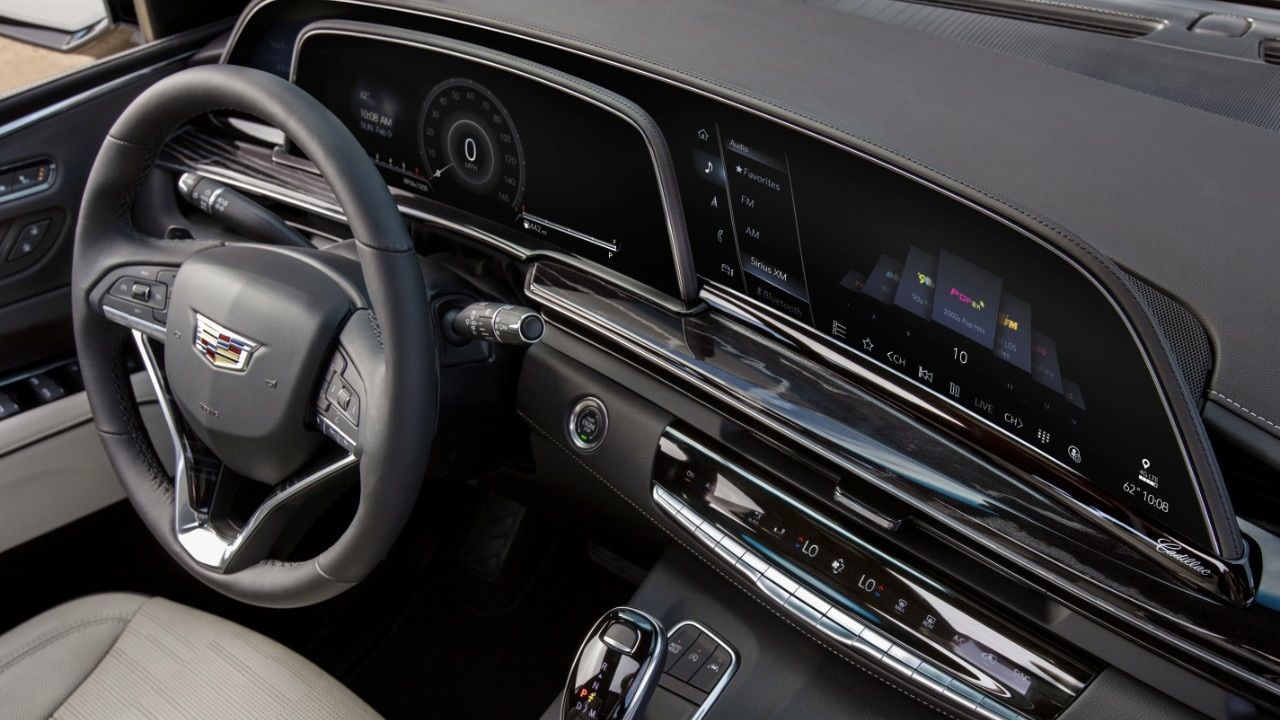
column 400, row 414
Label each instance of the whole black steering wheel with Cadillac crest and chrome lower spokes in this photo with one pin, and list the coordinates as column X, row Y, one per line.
column 284, row 373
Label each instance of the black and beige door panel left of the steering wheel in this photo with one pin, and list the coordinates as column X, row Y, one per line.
column 53, row 468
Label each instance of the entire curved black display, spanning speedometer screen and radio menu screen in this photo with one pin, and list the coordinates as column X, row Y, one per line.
column 966, row 308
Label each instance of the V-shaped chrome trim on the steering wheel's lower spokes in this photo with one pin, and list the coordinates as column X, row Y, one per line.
column 194, row 531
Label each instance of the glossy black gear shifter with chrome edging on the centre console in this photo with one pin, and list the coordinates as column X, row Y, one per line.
column 616, row 669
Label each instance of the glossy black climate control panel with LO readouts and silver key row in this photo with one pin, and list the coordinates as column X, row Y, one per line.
column 863, row 601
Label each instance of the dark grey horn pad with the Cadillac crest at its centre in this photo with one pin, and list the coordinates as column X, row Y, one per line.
column 250, row 330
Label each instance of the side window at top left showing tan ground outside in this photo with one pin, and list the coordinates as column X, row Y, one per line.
column 43, row 39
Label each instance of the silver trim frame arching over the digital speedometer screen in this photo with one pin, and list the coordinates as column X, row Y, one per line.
column 656, row 143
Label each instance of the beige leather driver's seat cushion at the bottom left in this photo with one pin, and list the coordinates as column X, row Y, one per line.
column 117, row 657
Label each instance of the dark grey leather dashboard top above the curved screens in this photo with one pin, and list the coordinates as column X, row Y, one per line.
column 1180, row 197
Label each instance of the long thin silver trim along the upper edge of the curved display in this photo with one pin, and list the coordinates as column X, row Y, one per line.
column 1162, row 391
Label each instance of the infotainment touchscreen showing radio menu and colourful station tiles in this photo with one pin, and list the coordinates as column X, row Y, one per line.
column 954, row 300
